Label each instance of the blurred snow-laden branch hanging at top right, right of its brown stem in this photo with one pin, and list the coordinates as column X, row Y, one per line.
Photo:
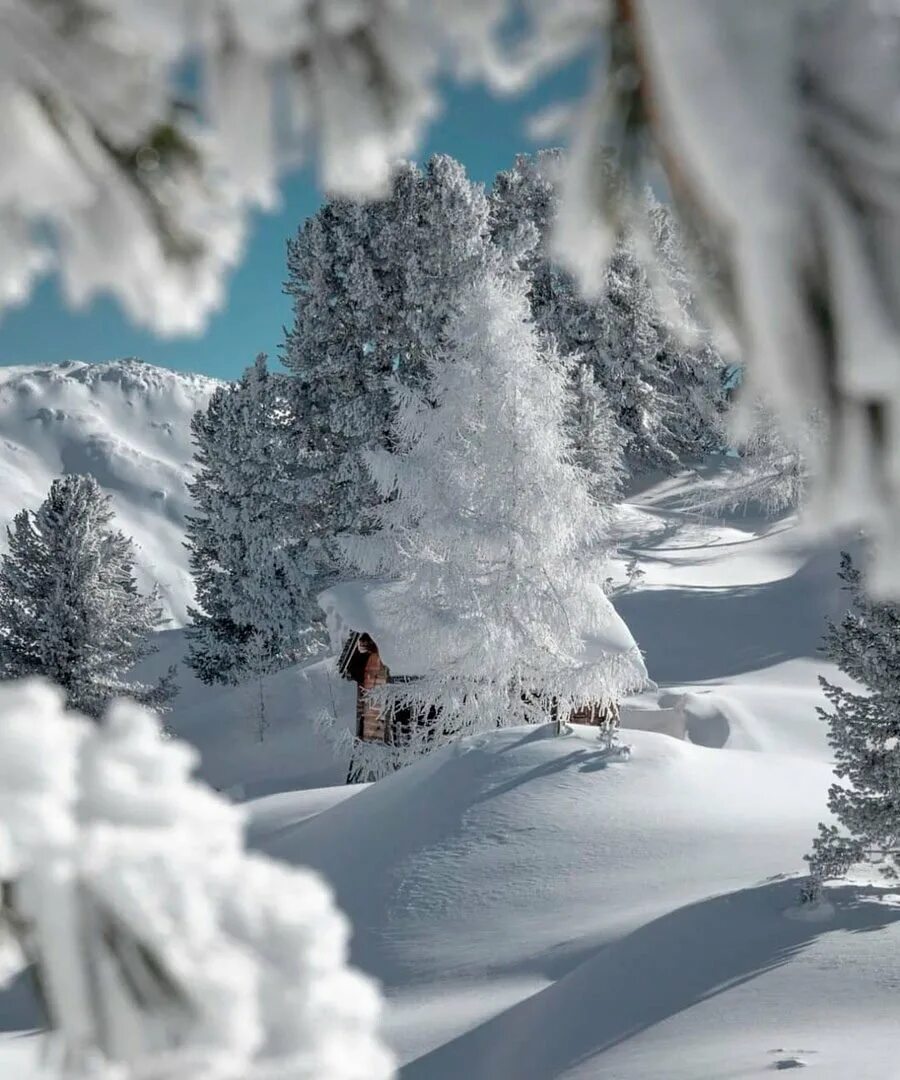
column 778, row 127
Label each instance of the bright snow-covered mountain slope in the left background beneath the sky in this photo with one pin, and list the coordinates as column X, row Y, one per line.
column 127, row 424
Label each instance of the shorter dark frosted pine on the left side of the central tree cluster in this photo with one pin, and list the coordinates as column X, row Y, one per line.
column 252, row 573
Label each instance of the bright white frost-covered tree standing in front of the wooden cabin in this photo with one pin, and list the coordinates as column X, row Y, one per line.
column 491, row 533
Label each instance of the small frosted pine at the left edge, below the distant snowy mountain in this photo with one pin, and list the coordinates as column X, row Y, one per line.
column 70, row 605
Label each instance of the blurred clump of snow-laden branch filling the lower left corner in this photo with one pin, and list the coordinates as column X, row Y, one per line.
column 160, row 948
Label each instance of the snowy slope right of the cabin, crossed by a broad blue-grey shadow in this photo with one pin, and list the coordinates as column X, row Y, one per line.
column 731, row 616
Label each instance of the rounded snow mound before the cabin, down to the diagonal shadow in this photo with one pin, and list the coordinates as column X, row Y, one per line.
column 527, row 823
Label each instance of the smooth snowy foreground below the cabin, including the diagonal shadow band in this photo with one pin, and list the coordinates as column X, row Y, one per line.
column 538, row 909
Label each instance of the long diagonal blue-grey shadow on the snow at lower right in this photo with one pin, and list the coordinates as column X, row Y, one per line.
column 646, row 978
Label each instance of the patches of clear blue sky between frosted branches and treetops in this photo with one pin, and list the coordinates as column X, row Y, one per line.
column 483, row 132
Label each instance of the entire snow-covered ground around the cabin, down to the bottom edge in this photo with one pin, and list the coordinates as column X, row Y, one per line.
column 536, row 909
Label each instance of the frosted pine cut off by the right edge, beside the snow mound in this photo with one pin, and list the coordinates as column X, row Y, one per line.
column 865, row 735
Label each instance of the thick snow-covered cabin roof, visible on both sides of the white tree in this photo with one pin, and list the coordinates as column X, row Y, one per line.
column 368, row 607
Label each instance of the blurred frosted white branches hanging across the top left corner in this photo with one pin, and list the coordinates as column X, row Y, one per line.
column 115, row 175
